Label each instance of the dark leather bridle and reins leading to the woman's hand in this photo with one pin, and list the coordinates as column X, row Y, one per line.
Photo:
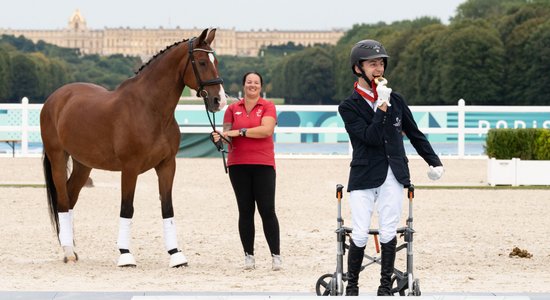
column 201, row 92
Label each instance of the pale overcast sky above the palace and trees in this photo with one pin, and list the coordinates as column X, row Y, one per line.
column 226, row 14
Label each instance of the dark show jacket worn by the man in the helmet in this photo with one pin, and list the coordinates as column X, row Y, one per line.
column 377, row 141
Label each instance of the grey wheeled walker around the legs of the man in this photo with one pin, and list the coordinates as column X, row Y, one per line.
column 403, row 283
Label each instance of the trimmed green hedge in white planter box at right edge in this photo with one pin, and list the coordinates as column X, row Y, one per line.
column 522, row 143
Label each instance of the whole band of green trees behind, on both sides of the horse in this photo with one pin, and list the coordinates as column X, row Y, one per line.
column 493, row 52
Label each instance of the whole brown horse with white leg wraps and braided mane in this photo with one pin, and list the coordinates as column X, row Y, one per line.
column 131, row 129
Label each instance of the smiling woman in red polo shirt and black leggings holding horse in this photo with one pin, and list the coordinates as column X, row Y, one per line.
column 250, row 124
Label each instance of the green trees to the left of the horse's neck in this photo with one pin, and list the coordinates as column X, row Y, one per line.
column 35, row 70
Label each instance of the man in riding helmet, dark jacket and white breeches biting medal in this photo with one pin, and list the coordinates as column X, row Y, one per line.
column 376, row 121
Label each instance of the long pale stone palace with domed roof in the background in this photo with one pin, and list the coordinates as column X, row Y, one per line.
column 147, row 42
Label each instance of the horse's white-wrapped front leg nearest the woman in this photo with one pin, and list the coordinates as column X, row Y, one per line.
column 165, row 172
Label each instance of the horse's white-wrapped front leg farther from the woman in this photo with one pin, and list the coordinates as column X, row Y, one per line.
column 128, row 187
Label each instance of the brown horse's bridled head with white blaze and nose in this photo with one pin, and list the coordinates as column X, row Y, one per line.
column 204, row 77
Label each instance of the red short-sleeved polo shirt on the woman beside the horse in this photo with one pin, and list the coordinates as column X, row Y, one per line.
column 245, row 150
